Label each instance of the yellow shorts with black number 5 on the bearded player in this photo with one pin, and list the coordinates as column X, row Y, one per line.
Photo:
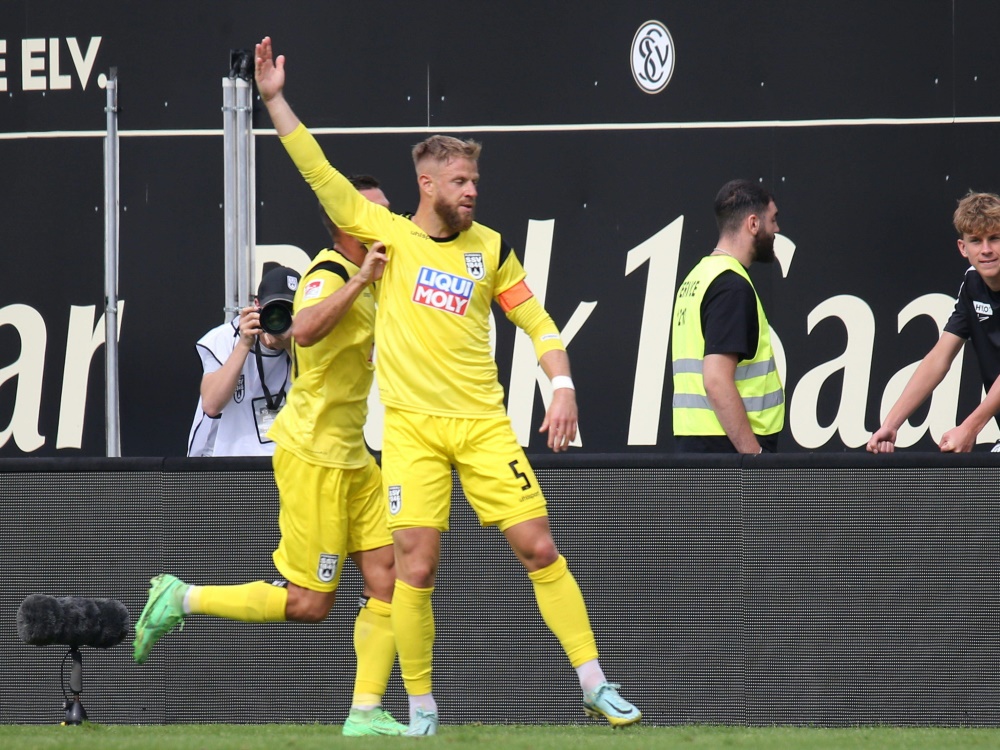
column 418, row 453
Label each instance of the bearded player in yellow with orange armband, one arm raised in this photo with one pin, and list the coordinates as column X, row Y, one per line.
column 444, row 402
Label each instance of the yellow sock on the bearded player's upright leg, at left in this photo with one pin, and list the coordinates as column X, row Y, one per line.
column 413, row 626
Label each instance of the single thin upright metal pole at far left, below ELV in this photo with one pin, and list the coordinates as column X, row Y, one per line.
column 111, row 208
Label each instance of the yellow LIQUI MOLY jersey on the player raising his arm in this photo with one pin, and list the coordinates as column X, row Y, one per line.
column 433, row 350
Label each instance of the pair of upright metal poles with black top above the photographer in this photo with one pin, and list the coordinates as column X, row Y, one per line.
column 238, row 146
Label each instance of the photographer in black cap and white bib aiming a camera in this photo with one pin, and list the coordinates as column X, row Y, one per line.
column 247, row 373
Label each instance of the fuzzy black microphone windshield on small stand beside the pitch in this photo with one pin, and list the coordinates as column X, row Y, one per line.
column 72, row 621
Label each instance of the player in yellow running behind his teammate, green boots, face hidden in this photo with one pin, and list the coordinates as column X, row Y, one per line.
column 329, row 484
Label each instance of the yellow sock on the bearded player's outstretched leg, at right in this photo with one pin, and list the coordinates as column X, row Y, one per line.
column 564, row 611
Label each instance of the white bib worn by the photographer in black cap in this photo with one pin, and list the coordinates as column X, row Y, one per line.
column 241, row 427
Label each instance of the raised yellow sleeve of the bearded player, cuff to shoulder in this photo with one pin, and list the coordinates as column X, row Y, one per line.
column 350, row 210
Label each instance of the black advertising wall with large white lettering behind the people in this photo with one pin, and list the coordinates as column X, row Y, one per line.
column 868, row 126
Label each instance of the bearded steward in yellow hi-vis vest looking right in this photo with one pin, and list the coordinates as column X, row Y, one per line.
column 727, row 391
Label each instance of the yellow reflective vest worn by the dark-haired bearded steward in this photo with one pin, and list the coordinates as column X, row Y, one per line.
column 757, row 379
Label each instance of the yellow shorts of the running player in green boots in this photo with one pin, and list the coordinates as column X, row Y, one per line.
column 325, row 515
